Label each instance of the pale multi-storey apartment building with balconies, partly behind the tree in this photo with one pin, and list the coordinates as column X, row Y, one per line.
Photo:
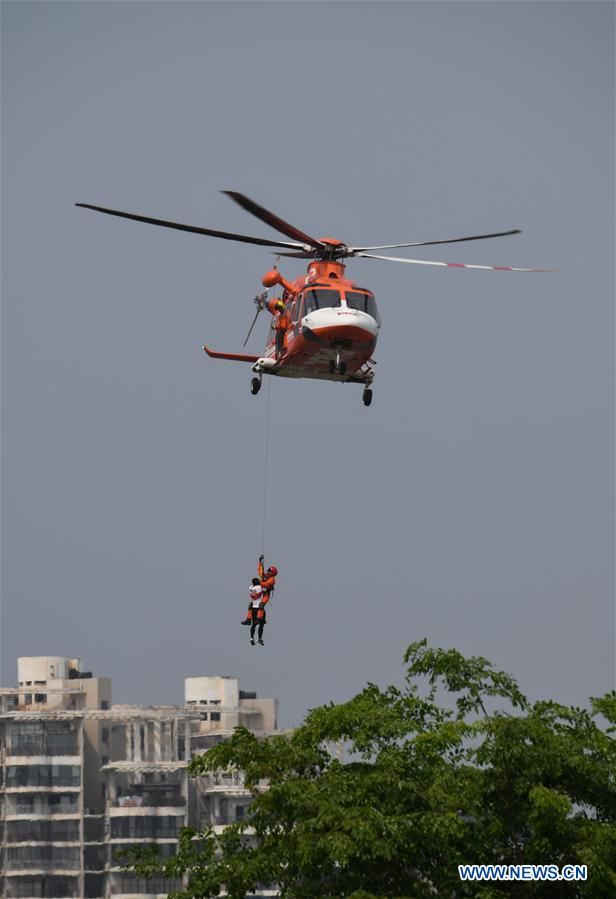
column 83, row 778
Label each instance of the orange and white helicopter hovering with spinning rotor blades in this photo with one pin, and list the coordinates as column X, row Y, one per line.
column 323, row 325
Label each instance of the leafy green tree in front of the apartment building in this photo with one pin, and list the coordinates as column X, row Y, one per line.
column 454, row 767
